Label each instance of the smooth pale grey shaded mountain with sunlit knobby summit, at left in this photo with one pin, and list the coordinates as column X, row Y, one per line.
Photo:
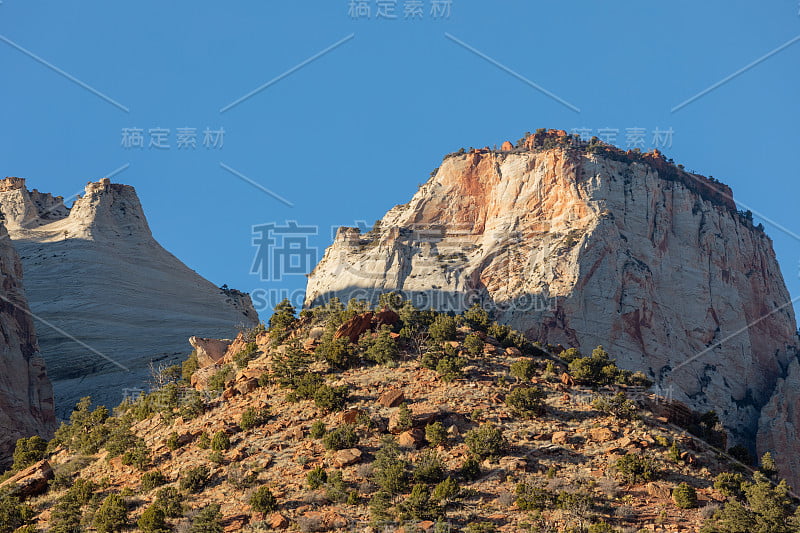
column 108, row 298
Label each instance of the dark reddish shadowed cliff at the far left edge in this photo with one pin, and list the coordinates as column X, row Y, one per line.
column 26, row 395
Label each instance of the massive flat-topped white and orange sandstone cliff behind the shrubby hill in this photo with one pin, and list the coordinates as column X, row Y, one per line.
column 584, row 249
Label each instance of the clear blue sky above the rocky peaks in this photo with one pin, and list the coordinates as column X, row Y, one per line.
column 354, row 132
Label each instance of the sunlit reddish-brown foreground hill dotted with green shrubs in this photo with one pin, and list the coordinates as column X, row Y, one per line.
column 556, row 470
